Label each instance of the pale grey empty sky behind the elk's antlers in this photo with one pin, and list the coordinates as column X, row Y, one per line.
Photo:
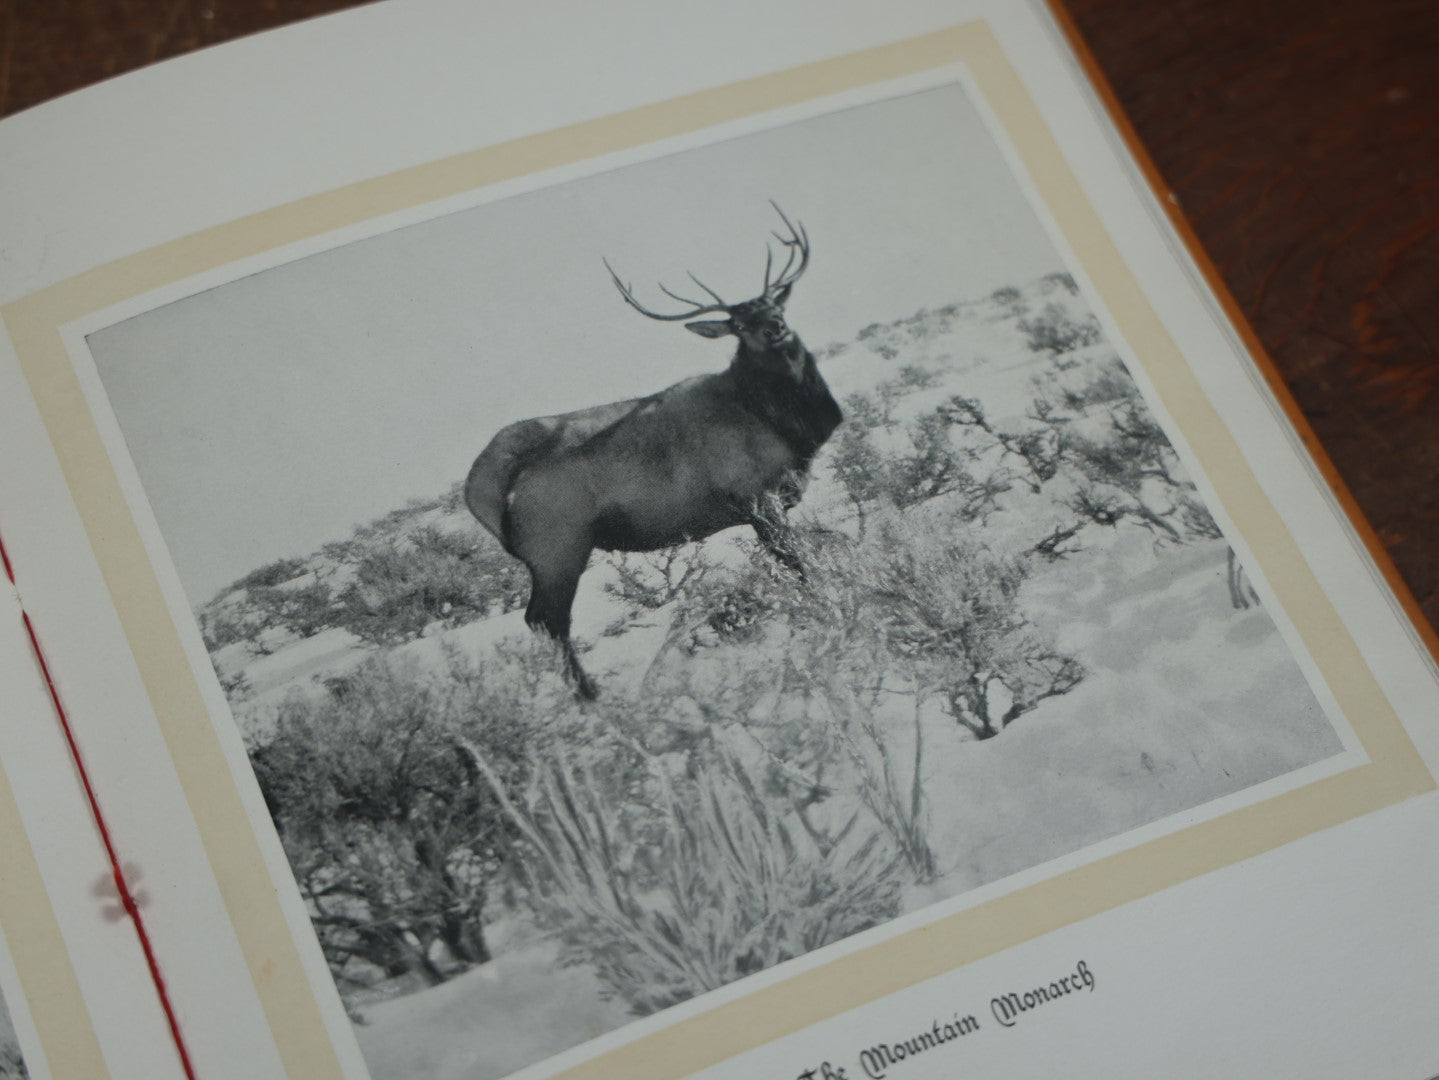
column 277, row 413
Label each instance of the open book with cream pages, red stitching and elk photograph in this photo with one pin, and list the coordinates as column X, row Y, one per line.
column 542, row 554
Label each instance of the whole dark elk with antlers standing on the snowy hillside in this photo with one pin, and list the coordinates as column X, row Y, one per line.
column 704, row 455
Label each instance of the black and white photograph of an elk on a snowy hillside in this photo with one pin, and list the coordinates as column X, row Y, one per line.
column 631, row 585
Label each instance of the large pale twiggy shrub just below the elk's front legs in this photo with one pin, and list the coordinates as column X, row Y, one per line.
column 854, row 654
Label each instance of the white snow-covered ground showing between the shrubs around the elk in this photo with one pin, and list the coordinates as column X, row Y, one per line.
column 1186, row 695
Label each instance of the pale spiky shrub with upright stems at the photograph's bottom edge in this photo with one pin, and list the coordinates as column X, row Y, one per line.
column 714, row 884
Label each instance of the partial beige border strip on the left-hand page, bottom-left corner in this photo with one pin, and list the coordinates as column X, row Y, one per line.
column 42, row 961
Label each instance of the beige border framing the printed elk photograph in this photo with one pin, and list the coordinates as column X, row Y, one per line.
column 291, row 1007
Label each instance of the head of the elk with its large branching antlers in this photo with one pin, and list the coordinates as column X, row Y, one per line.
column 765, row 339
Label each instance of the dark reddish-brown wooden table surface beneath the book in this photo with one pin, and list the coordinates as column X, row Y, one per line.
column 1302, row 139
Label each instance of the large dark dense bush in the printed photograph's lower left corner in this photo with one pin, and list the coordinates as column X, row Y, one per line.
column 395, row 841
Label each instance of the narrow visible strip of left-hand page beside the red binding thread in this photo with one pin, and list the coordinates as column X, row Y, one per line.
column 77, row 992
